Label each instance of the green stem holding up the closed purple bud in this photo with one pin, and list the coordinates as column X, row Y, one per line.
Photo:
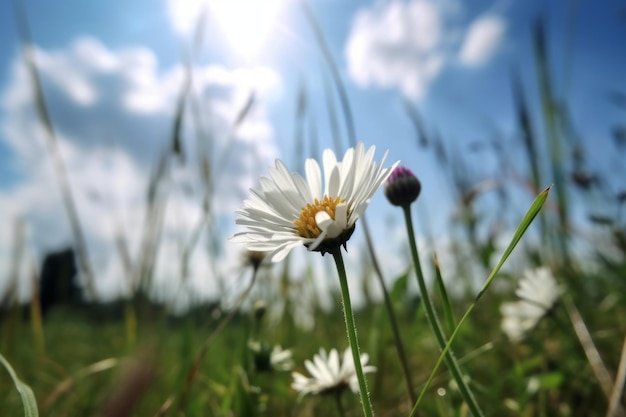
column 431, row 315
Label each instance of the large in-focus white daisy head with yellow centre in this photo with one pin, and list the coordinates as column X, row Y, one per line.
column 289, row 211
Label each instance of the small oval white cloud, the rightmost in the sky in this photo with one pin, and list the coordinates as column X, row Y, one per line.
column 483, row 39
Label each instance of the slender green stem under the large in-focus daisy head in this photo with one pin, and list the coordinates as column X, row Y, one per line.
column 351, row 330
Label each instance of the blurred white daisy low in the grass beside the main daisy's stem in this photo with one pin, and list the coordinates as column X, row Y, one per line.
column 330, row 373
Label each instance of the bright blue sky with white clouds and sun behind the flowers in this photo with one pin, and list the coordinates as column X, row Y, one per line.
column 112, row 72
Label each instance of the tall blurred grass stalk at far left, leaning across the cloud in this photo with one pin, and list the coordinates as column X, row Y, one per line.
column 55, row 152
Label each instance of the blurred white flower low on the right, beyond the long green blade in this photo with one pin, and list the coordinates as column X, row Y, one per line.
column 538, row 291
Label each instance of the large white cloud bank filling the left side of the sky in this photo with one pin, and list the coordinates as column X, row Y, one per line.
column 113, row 113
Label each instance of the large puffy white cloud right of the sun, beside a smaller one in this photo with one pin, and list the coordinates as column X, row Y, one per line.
column 403, row 45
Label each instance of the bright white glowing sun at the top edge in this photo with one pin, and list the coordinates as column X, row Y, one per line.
column 245, row 24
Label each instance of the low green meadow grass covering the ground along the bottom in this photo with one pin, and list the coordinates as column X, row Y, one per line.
column 550, row 359
